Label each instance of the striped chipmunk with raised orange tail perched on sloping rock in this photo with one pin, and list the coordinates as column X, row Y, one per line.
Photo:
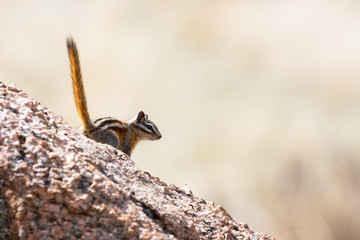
column 123, row 135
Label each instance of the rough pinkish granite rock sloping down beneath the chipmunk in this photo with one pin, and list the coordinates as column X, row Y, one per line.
column 57, row 184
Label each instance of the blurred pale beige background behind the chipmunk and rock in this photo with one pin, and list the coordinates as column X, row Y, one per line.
column 258, row 101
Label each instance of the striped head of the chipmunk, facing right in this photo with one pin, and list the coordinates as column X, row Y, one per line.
column 146, row 129
